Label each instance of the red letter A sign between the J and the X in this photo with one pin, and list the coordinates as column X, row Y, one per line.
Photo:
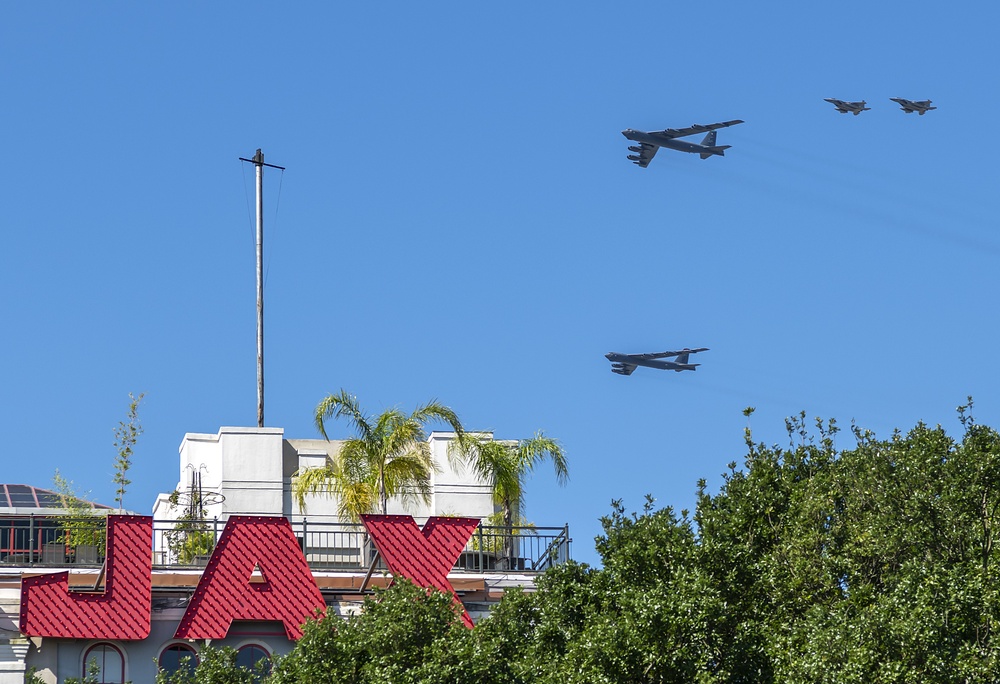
column 225, row 593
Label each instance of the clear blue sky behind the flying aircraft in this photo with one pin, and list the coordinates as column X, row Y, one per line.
column 458, row 221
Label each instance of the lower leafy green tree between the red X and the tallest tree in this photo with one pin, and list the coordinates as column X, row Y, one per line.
column 649, row 615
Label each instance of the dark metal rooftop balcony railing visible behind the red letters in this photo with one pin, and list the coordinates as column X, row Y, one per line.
column 60, row 540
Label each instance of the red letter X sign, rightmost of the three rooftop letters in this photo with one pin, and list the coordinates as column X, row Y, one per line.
column 423, row 557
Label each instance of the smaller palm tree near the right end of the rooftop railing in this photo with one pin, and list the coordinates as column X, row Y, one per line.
column 505, row 463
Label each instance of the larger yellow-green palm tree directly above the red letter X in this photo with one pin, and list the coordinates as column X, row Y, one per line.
column 388, row 457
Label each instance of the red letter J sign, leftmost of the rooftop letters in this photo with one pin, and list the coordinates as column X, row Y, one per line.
column 121, row 611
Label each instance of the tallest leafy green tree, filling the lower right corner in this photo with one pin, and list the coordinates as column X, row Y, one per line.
column 872, row 564
